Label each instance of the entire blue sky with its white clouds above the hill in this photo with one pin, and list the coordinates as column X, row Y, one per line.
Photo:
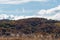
column 19, row 9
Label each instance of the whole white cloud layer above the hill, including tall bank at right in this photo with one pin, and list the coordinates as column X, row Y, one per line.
column 53, row 13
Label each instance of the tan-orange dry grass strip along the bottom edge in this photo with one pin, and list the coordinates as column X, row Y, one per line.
column 31, row 37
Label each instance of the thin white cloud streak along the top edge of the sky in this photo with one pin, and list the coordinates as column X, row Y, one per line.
column 18, row 1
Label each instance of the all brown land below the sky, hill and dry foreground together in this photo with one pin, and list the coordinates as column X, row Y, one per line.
column 30, row 29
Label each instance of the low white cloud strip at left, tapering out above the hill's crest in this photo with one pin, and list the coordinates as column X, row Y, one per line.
column 14, row 17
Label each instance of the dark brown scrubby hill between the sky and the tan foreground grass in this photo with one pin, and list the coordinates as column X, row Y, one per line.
column 29, row 26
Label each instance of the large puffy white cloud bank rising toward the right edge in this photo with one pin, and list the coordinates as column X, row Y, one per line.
column 53, row 13
